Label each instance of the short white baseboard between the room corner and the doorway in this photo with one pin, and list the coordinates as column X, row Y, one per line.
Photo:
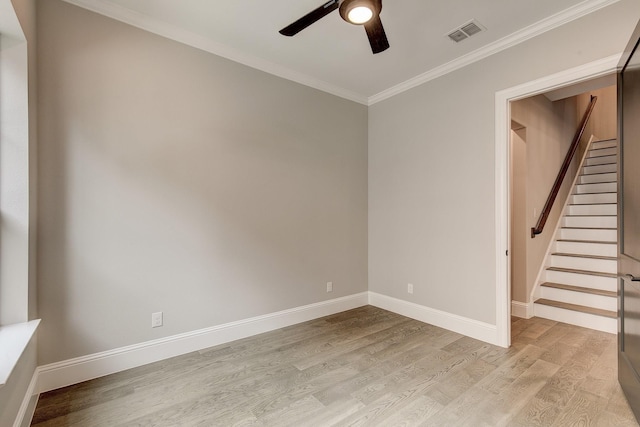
column 462, row 325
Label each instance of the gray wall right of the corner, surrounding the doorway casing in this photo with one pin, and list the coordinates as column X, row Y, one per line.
column 431, row 167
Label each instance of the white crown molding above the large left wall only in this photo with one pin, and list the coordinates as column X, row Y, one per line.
column 172, row 32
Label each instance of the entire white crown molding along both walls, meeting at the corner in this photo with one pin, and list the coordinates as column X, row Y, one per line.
column 173, row 32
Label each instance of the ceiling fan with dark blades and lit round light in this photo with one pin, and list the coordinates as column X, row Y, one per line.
column 357, row 12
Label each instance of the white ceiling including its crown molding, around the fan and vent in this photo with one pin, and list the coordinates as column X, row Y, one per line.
column 335, row 56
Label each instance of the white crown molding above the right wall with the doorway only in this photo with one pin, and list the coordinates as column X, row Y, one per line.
column 540, row 27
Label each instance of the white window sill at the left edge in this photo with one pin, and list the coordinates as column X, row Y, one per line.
column 13, row 340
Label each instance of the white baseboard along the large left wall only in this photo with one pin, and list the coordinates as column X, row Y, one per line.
column 73, row 371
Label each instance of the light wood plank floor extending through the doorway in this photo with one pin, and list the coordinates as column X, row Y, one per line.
column 363, row 367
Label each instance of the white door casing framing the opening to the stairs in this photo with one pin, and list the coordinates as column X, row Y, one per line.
column 584, row 72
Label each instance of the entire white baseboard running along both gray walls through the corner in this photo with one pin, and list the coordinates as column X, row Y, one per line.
column 73, row 371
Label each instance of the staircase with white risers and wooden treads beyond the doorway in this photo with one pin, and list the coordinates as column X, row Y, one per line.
column 580, row 284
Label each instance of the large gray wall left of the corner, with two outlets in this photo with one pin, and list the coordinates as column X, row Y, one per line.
column 174, row 180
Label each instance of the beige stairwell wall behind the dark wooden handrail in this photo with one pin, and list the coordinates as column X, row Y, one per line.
column 550, row 129
